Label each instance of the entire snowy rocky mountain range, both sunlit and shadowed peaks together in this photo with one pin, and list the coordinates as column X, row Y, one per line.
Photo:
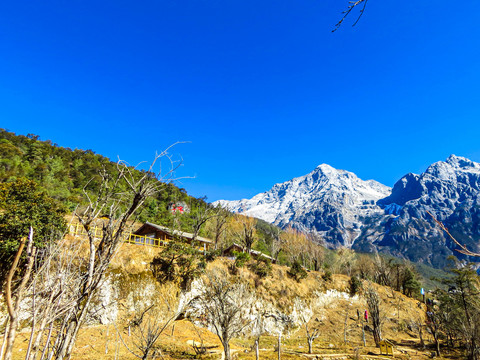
column 370, row 217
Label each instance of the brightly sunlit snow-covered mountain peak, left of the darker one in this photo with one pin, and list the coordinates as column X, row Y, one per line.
column 327, row 201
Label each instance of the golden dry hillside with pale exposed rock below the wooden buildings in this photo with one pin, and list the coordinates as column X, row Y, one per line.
column 330, row 308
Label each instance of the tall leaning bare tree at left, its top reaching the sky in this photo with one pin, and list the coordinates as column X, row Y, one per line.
column 119, row 207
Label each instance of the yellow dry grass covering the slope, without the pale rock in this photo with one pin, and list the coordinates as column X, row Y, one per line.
column 336, row 315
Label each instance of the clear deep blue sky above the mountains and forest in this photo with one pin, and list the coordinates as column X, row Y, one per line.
column 263, row 90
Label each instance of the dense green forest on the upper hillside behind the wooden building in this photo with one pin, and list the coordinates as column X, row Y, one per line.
column 63, row 173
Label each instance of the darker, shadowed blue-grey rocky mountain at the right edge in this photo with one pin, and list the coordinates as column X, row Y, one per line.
column 450, row 191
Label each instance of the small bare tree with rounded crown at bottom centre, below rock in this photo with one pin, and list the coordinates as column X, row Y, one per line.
column 225, row 306
